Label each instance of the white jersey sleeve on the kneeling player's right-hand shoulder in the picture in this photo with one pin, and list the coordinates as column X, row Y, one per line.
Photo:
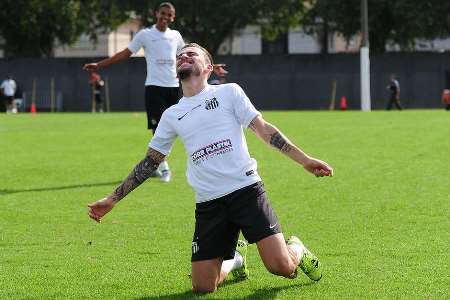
column 243, row 108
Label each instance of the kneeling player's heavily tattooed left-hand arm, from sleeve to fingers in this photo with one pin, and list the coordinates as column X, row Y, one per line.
column 138, row 175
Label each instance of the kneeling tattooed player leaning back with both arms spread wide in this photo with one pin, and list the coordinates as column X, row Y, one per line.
column 230, row 195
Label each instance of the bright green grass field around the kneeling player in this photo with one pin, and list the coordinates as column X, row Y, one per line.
column 381, row 226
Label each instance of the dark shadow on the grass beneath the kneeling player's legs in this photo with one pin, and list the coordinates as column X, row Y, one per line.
column 264, row 293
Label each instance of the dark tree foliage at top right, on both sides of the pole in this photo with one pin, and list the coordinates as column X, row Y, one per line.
column 399, row 22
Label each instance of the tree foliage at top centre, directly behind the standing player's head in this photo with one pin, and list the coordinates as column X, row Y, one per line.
column 210, row 22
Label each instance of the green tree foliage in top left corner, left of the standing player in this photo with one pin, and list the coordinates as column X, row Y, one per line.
column 32, row 28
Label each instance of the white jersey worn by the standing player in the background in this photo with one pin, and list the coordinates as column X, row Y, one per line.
column 160, row 52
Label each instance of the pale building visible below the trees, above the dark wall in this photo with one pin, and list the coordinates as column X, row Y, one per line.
column 246, row 41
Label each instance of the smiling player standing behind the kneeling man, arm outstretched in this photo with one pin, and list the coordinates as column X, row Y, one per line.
column 161, row 45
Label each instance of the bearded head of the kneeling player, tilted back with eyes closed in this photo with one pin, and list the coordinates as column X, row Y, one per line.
column 191, row 61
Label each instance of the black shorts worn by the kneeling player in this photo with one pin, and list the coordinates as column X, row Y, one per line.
column 218, row 222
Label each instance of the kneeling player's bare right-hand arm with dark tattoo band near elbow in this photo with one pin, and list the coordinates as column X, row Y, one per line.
column 273, row 137
